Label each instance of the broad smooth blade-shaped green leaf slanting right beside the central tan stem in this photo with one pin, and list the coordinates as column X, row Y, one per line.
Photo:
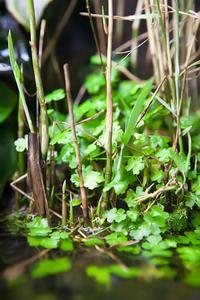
column 136, row 111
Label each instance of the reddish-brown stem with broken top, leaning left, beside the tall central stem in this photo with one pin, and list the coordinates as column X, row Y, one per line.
column 76, row 147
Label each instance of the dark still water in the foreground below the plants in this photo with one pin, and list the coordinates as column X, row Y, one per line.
column 75, row 285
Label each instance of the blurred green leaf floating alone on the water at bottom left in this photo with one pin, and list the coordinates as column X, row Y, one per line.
column 49, row 267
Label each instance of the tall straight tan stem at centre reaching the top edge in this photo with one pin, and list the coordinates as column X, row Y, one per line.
column 109, row 105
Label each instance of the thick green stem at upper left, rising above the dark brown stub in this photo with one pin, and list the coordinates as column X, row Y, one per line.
column 38, row 81
